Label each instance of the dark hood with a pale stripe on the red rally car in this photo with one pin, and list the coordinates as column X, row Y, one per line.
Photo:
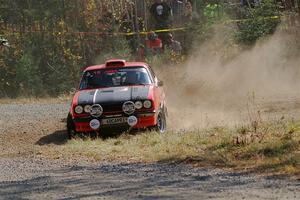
column 114, row 94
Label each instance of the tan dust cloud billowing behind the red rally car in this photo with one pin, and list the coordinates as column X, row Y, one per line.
column 222, row 83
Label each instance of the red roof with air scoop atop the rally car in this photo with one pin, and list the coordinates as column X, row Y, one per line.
column 116, row 63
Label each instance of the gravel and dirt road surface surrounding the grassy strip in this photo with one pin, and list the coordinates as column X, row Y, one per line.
column 24, row 175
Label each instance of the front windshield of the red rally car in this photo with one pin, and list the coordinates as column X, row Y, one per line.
column 115, row 77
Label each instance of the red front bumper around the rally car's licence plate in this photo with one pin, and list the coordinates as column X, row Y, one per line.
column 145, row 119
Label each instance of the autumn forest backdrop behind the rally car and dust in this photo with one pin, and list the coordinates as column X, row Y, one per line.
column 50, row 42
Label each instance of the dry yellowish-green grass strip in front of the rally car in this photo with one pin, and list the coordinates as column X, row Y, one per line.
column 267, row 147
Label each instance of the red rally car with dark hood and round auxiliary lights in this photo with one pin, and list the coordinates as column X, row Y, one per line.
column 117, row 94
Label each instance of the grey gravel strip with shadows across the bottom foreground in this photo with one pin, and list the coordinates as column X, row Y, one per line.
column 40, row 179
